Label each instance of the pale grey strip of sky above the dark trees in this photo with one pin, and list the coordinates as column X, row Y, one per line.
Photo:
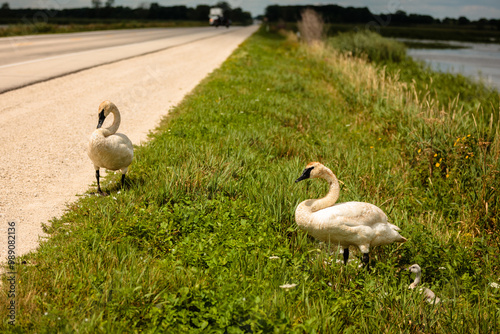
column 473, row 10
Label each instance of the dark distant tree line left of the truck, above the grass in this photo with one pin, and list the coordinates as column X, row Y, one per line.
column 105, row 10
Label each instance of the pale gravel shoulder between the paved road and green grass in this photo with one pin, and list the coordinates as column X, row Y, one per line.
column 44, row 128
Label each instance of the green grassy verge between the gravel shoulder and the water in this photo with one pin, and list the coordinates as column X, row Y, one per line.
column 186, row 246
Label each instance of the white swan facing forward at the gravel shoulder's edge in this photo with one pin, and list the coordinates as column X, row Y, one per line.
column 108, row 149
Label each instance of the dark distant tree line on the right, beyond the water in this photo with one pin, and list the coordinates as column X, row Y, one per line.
column 339, row 14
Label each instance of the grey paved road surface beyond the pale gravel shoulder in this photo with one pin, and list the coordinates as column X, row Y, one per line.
column 29, row 59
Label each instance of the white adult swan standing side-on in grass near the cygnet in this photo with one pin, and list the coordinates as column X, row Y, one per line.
column 352, row 223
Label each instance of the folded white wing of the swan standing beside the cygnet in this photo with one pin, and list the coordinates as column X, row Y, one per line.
column 352, row 214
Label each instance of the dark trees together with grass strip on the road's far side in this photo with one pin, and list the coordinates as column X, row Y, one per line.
column 105, row 16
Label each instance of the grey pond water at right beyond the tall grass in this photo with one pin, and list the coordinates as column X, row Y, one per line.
column 476, row 60
